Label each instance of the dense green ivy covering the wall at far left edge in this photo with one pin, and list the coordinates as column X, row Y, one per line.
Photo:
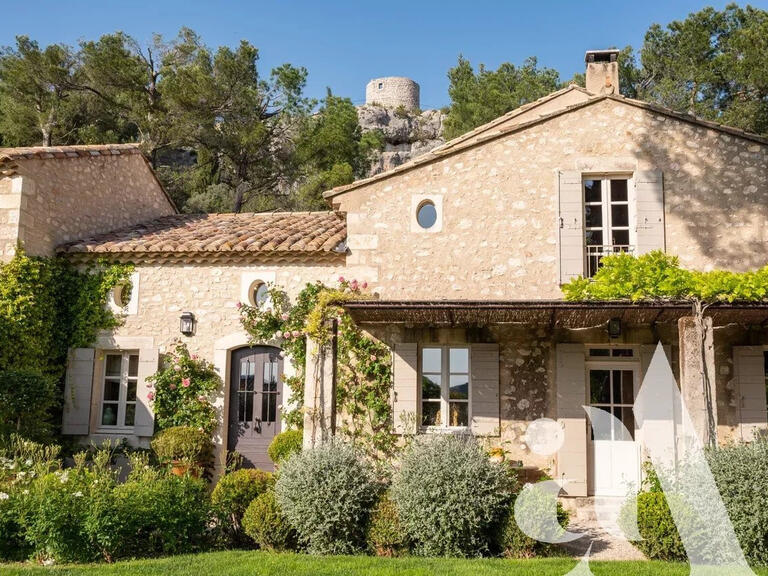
column 47, row 306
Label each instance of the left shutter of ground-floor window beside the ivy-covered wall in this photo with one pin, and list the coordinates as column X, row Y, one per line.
column 78, row 387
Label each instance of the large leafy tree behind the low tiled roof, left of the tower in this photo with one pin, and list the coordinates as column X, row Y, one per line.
column 247, row 123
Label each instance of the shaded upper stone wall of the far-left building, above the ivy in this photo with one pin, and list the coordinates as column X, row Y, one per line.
column 56, row 201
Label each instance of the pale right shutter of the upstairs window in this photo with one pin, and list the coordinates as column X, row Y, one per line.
column 649, row 208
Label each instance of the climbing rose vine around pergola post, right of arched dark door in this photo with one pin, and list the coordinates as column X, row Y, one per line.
column 364, row 366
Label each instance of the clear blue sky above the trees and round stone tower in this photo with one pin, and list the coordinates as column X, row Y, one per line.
column 344, row 44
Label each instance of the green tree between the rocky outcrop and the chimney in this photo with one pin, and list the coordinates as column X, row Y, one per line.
column 479, row 97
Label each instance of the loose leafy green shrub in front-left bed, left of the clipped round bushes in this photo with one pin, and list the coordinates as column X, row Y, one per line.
column 151, row 514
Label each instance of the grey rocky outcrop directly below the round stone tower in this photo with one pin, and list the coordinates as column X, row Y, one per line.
column 407, row 134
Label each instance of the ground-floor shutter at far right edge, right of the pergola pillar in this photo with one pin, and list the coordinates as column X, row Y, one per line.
column 749, row 363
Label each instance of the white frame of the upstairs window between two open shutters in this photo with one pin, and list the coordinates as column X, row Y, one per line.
column 605, row 205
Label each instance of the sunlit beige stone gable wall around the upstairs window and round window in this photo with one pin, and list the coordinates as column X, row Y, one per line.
column 498, row 233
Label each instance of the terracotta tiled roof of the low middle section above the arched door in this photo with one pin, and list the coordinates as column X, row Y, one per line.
column 293, row 234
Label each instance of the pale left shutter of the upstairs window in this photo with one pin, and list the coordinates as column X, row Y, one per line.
column 571, row 225
